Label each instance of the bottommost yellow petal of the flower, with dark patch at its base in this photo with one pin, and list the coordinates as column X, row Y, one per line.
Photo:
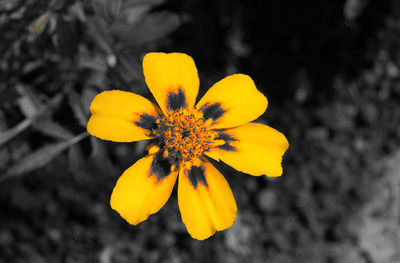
column 205, row 201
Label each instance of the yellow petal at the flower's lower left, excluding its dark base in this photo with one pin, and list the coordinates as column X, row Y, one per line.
column 140, row 193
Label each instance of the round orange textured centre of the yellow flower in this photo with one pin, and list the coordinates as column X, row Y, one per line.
column 185, row 135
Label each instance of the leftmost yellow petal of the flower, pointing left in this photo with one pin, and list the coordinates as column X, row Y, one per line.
column 121, row 116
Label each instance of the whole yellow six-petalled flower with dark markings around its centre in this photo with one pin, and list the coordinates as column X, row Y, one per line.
column 219, row 126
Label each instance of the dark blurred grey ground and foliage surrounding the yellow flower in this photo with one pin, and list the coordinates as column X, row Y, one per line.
column 329, row 69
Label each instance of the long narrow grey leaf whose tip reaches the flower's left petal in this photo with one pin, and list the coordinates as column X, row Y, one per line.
column 41, row 157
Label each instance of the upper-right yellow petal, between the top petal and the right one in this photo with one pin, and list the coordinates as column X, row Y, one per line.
column 233, row 101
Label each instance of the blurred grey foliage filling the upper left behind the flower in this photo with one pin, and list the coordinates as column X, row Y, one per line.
column 56, row 56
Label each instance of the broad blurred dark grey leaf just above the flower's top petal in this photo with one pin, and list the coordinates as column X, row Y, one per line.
column 153, row 27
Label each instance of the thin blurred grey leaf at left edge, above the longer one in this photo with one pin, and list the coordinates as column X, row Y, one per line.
column 42, row 113
